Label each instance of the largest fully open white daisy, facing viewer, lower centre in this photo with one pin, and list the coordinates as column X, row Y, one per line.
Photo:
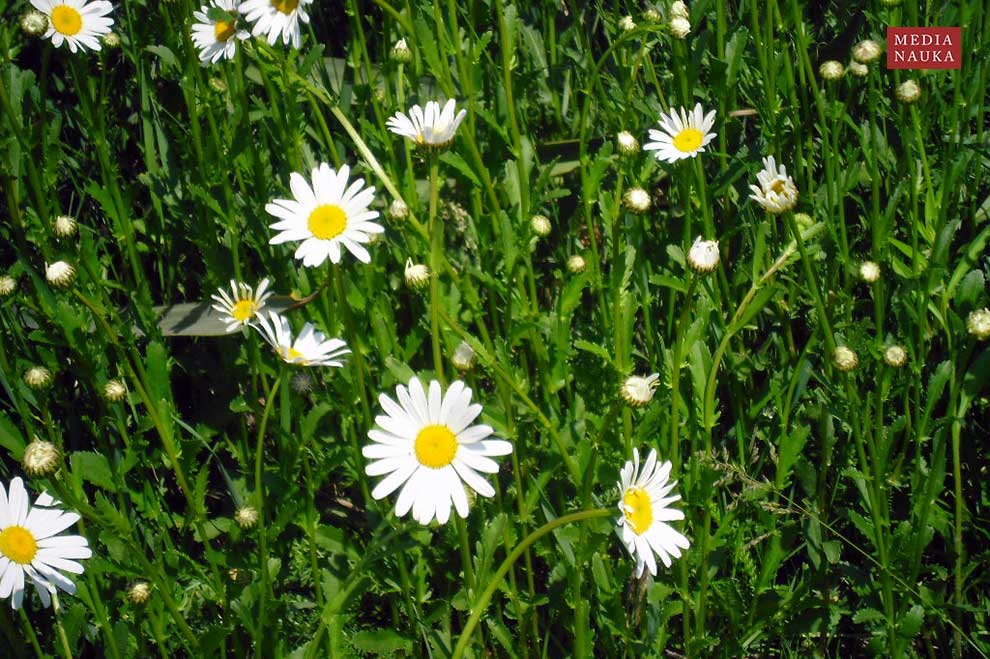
column 426, row 444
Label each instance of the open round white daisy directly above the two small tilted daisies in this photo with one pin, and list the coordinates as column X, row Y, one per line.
column 326, row 216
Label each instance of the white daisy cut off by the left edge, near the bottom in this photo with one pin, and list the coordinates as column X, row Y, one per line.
column 30, row 545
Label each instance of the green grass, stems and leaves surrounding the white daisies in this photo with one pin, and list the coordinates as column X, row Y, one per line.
column 830, row 512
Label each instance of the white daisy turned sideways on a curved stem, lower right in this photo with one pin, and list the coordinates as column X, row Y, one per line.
column 644, row 505
